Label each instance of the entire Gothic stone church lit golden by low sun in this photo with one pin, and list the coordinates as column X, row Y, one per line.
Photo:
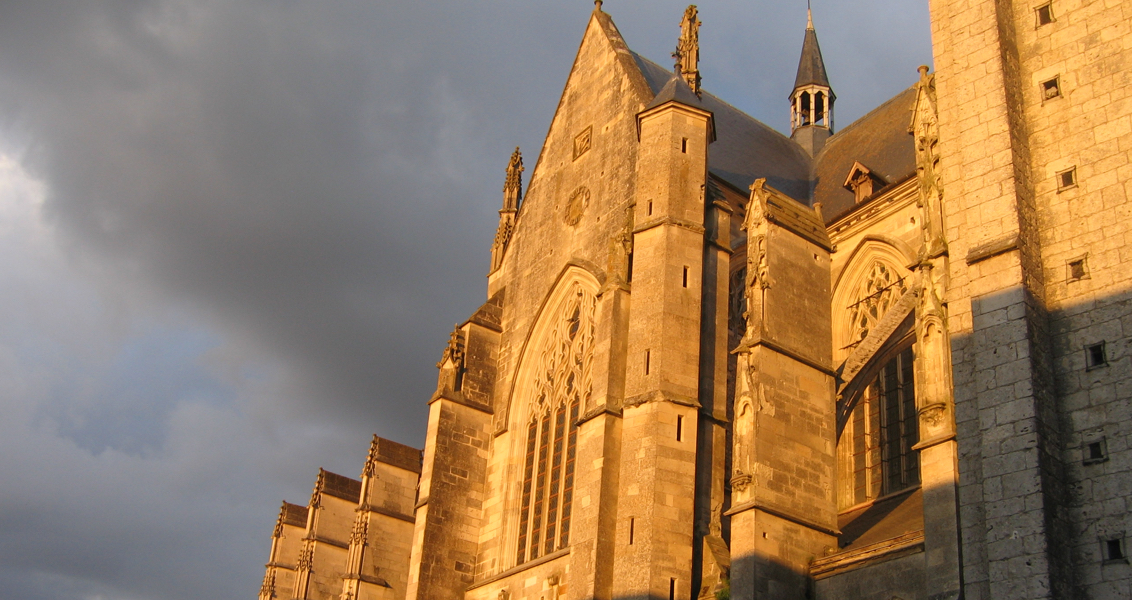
column 887, row 362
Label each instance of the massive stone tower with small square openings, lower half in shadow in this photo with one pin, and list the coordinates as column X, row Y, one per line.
column 1034, row 162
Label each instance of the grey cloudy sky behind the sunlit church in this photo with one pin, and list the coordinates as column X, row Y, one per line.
column 279, row 209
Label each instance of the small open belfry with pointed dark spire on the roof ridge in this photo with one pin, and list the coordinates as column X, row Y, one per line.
column 812, row 100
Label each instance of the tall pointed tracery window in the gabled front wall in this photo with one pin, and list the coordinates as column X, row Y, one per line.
column 563, row 385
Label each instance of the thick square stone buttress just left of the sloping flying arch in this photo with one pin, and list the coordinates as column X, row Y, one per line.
column 784, row 513
